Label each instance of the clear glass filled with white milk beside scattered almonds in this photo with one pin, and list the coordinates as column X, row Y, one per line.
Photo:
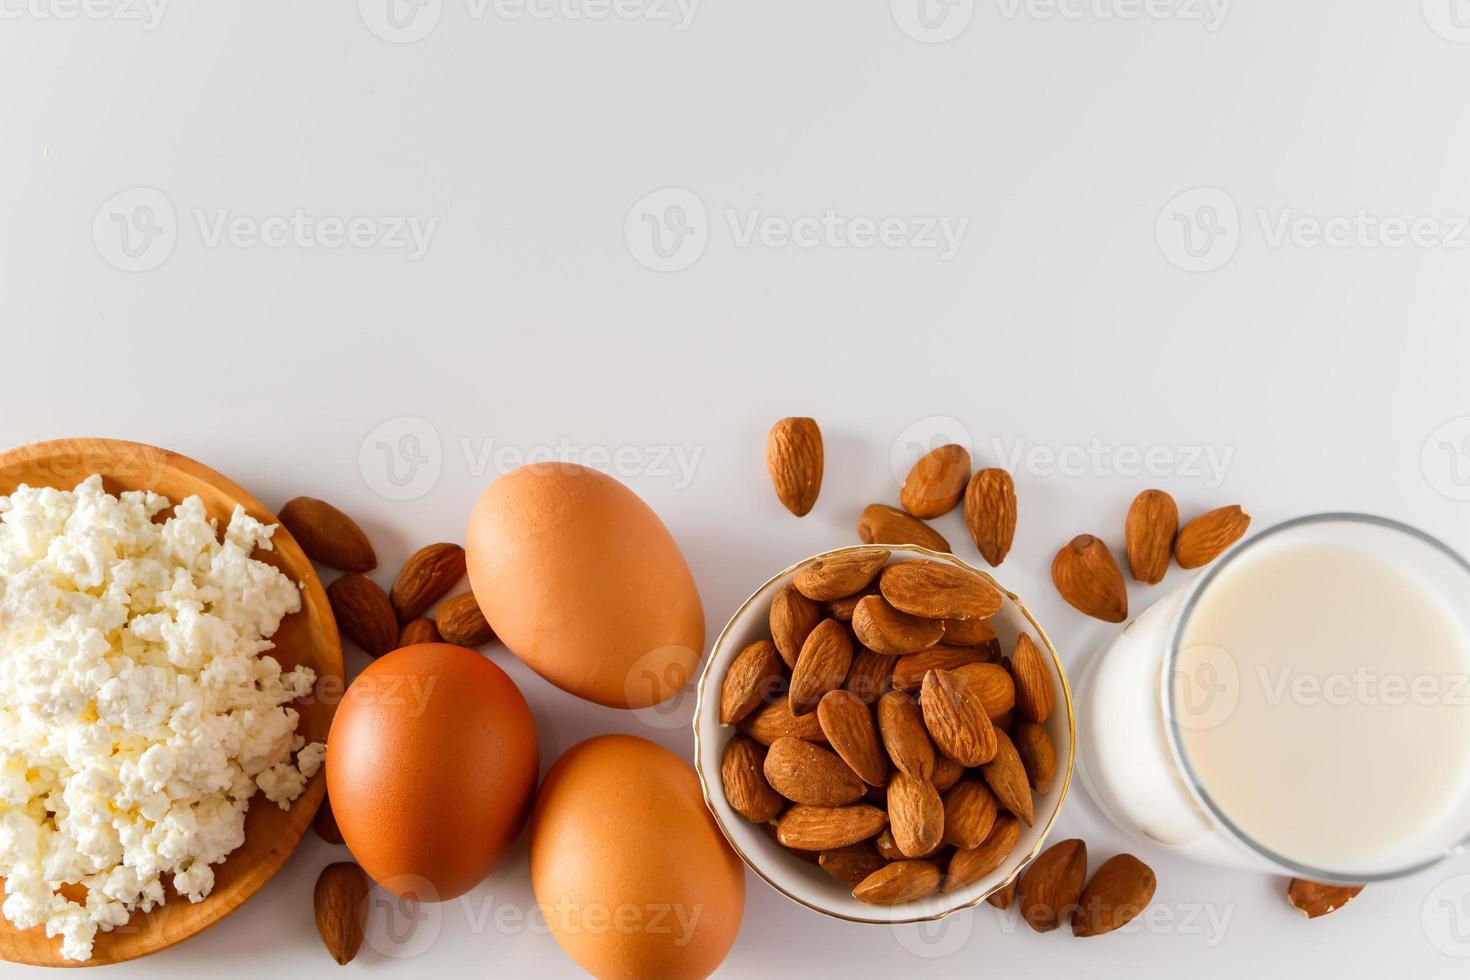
column 1302, row 706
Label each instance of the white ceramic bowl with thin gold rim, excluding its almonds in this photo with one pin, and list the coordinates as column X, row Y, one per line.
column 805, row 882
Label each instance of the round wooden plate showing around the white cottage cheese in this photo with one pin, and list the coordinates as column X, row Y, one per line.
column 305, row 638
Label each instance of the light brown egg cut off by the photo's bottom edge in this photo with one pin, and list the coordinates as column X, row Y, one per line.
column 630, row 869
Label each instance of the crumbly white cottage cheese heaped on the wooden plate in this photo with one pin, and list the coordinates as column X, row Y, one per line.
column 139, row 709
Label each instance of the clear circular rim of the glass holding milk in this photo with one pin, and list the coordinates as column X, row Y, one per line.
column 1172, row 728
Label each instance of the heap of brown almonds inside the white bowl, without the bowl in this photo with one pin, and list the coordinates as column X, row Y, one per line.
column 881, row 731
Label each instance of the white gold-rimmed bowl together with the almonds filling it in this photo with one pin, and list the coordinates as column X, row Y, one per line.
column 884, row 734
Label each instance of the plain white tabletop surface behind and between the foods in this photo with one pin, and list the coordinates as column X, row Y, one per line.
column 1322, row 374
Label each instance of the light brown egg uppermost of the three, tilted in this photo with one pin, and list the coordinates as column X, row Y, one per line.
column 584, row 584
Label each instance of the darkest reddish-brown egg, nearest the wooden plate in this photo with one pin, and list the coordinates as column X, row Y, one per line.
column 431, row 768
